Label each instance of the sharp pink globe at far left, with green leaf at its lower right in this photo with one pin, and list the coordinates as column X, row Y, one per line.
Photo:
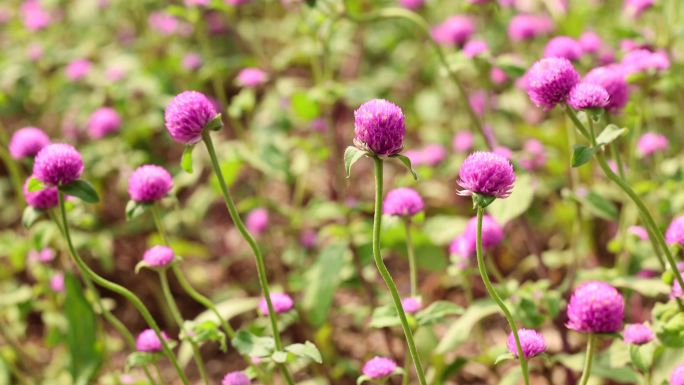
column 58, row 164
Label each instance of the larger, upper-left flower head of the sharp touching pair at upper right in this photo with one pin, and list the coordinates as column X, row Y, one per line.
column 550, row 80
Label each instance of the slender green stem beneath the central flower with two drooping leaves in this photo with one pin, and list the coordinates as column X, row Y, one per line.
column 377, row 223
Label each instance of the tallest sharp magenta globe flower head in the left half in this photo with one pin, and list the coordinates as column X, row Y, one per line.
column 187, row 115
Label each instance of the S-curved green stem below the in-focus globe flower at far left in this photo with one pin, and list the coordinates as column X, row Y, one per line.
column 137, row 303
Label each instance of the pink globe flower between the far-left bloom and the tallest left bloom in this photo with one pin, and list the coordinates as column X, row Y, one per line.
column 149, row 183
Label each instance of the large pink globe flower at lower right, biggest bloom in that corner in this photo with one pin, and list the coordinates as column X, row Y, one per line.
column 595, row 307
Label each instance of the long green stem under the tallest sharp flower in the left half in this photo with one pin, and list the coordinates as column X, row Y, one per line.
column 260, row 263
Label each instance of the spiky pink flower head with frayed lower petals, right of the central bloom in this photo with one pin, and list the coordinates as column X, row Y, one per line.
column 486, row 173
